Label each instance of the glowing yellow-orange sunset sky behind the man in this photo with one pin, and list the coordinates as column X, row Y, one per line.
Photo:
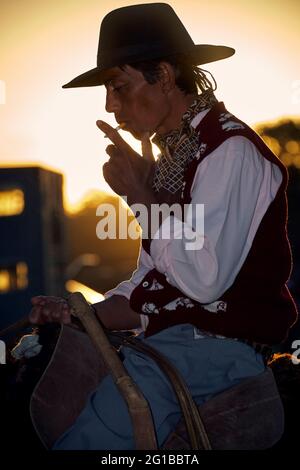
column 46, row 43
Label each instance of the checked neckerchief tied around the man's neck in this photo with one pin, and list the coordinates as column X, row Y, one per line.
column 179, row 147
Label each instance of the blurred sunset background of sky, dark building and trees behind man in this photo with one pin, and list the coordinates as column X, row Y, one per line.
column 51, row 152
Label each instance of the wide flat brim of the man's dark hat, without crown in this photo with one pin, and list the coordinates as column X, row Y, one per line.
column 200, row 55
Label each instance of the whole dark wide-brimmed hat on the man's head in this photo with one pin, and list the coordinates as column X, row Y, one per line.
column 143, row 32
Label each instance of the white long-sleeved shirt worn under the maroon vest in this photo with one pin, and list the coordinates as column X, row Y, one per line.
column 236, row 184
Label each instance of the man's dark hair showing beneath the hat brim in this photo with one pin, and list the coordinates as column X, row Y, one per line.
column 188, row 77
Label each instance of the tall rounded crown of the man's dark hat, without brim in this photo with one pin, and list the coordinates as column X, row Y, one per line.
column 137, row 28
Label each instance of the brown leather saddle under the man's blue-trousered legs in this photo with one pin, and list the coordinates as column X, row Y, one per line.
column 248, row 416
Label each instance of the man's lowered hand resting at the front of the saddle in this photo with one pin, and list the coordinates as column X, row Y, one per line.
column 49, row 309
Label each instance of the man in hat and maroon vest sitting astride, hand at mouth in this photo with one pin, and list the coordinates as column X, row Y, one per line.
column 199, row 305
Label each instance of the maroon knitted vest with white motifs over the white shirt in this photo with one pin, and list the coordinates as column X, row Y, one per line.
column 258, row 306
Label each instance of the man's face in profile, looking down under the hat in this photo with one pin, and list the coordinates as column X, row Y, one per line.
column 141, row 106
